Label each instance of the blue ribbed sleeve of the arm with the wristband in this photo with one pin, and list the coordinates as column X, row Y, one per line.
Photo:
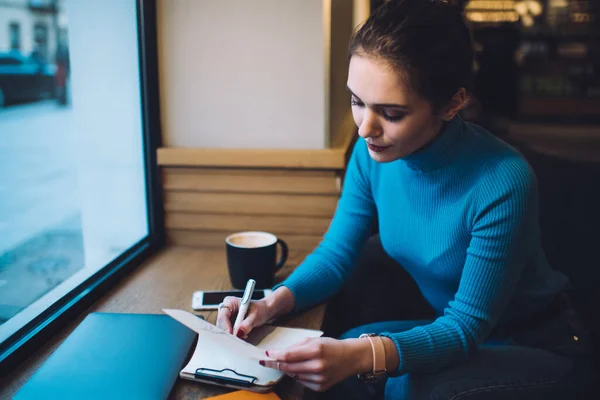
column 504, row 220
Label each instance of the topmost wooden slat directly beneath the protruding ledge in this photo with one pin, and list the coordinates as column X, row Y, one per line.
column 251, row 181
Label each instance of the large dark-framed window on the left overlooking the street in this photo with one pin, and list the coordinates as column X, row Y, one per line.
column 78, row 183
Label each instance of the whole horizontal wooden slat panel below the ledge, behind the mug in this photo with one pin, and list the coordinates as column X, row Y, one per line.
column 204, row 205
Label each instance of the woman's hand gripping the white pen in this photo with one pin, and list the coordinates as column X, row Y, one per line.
column 280, row 302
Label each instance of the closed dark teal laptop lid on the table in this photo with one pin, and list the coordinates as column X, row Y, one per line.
column 114, row 356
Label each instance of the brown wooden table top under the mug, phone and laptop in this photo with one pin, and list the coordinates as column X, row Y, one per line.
column 168, row 280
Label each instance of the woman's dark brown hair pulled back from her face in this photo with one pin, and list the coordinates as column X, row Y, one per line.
column 428, row 40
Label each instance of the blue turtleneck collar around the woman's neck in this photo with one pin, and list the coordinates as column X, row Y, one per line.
column 438, row 153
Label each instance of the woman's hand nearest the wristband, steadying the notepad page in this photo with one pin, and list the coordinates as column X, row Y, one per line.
column 319, row 363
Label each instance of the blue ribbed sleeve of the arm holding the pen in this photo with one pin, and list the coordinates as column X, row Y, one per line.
column 325, row 270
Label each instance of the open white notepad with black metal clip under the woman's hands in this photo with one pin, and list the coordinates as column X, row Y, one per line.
column 223, row 359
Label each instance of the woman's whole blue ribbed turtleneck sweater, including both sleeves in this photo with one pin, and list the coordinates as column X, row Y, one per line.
column 461, row 217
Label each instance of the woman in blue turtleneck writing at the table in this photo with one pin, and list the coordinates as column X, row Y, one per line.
column 457, row 208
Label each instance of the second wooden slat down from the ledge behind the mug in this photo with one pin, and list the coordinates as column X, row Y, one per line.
column 251, row 203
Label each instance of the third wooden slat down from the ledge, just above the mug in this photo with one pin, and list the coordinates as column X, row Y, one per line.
column 233, row 223
